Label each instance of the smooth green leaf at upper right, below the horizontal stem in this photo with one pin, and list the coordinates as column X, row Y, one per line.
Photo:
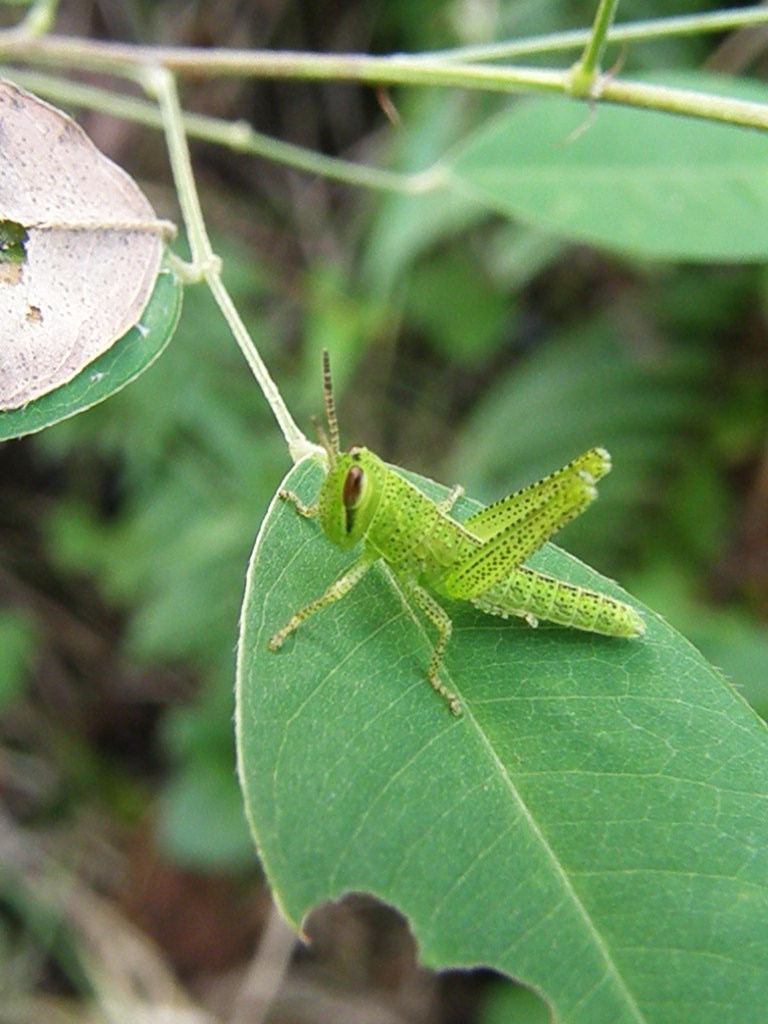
column 637, row 182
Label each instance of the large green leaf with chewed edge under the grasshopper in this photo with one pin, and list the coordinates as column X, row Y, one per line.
column 594, row 824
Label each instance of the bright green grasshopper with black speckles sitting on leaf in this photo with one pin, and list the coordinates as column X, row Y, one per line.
column 479, row 561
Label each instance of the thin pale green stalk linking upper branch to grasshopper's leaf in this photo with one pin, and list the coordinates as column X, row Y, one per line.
column 205, row 264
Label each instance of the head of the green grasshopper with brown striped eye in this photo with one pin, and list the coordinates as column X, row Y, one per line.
column 351, row 496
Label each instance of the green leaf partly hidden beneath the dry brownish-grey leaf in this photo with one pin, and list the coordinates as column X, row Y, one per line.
column 121, row 364
